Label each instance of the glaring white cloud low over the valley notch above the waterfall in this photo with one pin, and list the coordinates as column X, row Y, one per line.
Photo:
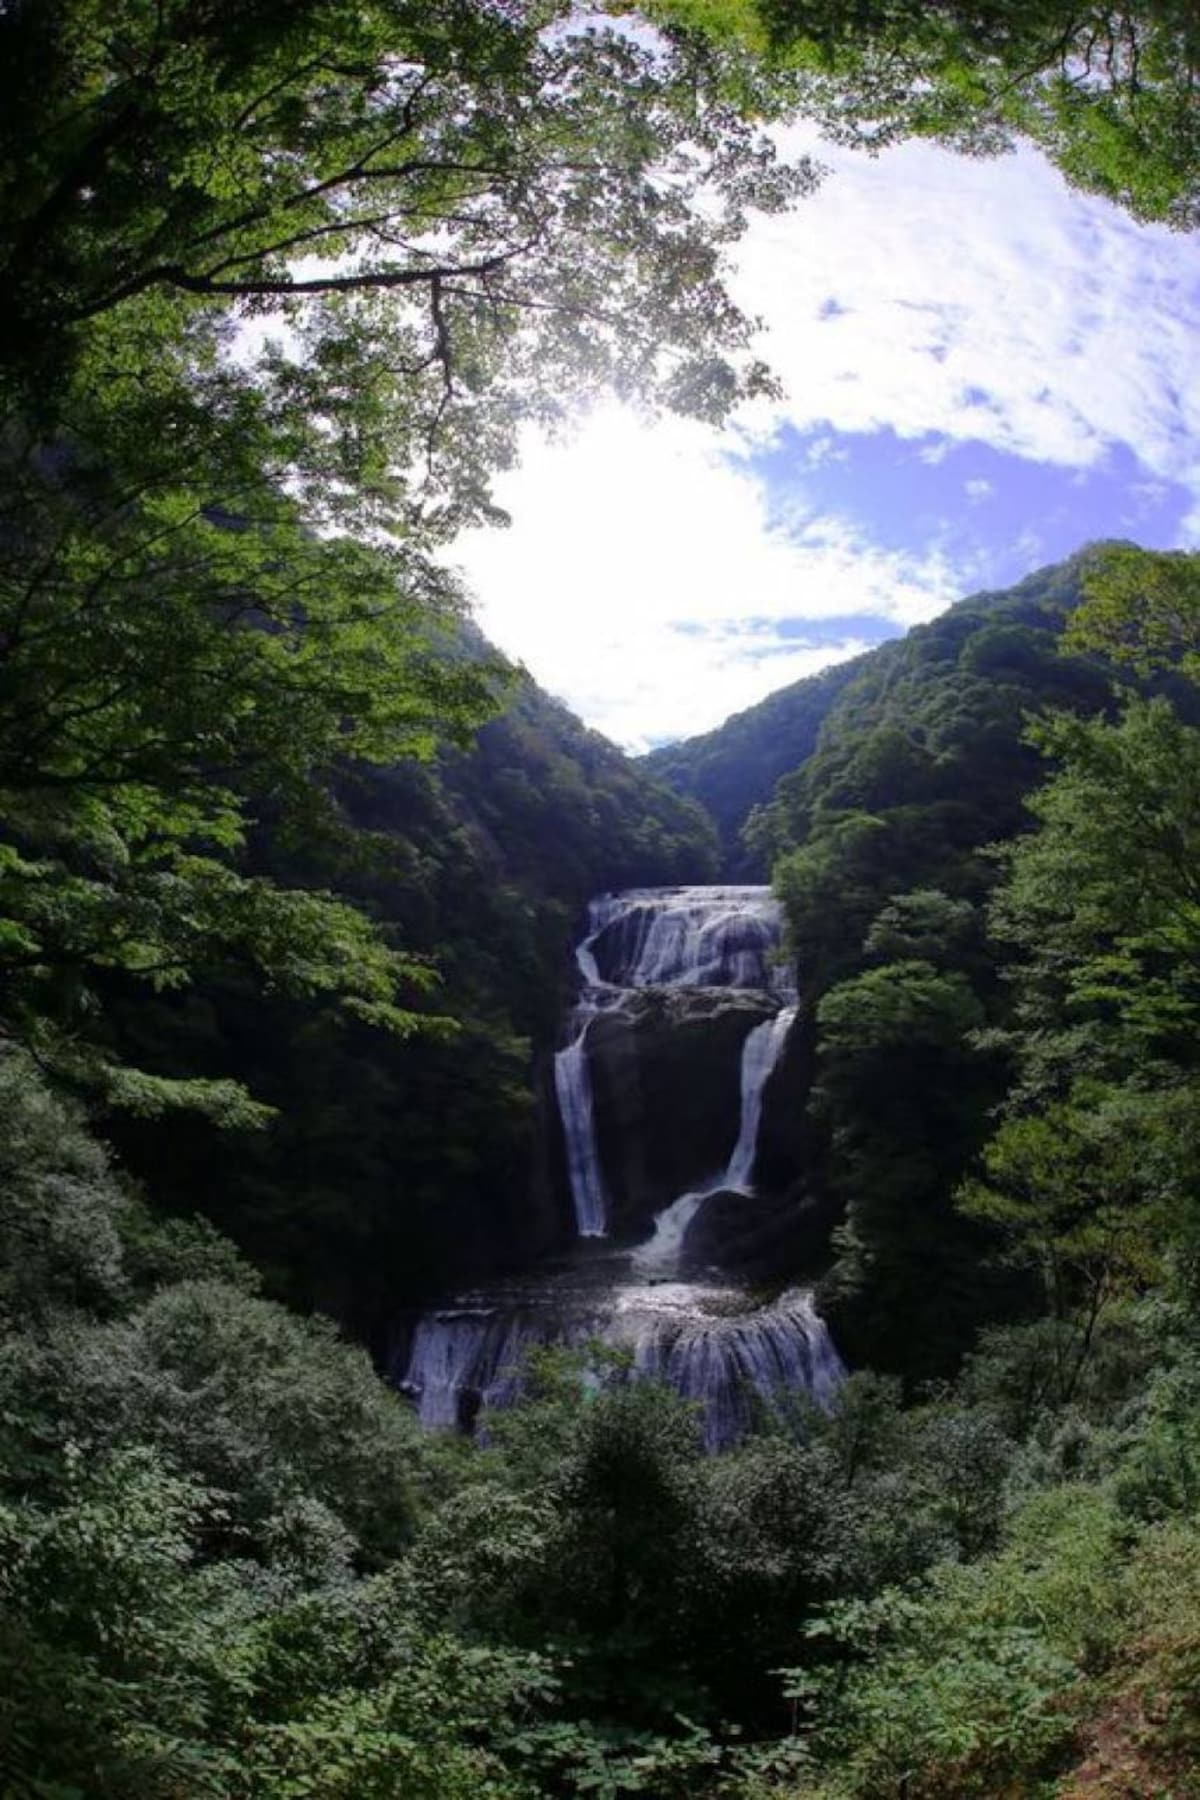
column 645, row 579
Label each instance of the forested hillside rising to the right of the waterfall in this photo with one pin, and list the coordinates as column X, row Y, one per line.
column 884, row 843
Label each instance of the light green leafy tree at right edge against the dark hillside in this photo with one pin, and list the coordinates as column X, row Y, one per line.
column 1102, row 904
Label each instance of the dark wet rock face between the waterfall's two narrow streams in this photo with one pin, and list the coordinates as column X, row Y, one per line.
column 667, row 1093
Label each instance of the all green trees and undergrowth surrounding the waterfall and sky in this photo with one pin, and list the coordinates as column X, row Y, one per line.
column 282, row 283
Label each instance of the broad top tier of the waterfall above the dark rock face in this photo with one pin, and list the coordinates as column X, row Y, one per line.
column 685, row 937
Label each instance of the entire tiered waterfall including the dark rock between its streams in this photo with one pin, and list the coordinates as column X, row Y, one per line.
column 683, row 989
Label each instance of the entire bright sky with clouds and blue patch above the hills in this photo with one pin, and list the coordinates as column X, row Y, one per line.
column 983, row 372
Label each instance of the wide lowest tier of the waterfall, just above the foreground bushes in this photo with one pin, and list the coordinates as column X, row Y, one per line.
column 713, row 1345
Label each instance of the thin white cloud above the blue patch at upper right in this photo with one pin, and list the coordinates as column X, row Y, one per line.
column 981, row 301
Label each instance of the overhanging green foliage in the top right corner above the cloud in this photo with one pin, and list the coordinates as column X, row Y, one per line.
column 1106, row 91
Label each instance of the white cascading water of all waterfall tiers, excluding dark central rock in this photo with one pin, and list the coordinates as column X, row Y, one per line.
column 712, row 1342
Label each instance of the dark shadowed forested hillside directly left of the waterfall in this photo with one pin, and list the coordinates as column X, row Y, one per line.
column 391, row 1167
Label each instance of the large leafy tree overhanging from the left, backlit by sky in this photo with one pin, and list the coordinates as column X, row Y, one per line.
column 282, row 287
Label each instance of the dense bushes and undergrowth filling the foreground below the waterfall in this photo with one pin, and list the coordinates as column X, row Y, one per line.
column 233, row 1565
